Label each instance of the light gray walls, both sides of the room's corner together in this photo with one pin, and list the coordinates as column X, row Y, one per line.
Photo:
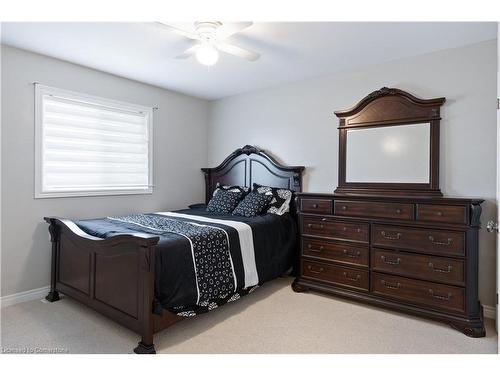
column 294, row 121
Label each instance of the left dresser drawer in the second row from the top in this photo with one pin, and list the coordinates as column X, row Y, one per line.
column 329, row 227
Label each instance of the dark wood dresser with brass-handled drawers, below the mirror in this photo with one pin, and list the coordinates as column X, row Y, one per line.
column 418, row 256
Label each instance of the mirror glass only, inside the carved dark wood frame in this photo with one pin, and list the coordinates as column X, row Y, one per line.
column 388, row 154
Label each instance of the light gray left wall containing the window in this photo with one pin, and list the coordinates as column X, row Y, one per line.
column 180, row 149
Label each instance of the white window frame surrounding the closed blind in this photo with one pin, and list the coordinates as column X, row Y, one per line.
column 40, row 91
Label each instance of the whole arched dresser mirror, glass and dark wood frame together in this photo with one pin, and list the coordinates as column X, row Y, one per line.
column 389, row 146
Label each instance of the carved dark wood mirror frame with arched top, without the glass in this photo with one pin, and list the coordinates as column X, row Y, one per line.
column 391, row 107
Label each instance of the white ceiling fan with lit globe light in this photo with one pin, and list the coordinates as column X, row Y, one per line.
column 209, row 37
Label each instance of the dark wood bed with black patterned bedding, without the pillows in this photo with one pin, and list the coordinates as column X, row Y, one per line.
column 145, row 272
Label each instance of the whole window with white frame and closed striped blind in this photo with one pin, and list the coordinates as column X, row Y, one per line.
column 86, row 145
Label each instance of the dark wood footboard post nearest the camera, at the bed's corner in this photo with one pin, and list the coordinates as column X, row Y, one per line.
column 147, row 281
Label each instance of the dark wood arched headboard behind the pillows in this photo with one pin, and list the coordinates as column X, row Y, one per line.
column 248, row 165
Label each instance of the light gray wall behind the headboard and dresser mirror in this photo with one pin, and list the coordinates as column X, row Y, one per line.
column 296, row 122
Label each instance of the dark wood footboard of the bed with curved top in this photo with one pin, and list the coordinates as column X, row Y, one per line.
column 114, row 276
